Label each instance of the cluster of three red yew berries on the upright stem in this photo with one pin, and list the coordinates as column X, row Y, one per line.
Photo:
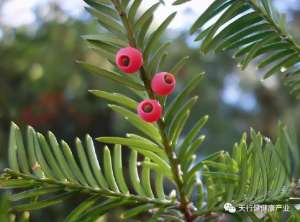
column 130, row 60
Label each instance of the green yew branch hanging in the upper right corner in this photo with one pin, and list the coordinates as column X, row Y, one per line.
column 253, row 28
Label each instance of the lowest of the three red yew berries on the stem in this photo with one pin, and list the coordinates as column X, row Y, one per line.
column 149, row 110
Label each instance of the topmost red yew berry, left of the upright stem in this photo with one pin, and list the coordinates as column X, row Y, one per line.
column 129, row 60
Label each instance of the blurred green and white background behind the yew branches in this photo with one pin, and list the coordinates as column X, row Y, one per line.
column 41, row 84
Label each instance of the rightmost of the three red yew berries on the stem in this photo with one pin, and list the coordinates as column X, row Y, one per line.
column 163, row 83
